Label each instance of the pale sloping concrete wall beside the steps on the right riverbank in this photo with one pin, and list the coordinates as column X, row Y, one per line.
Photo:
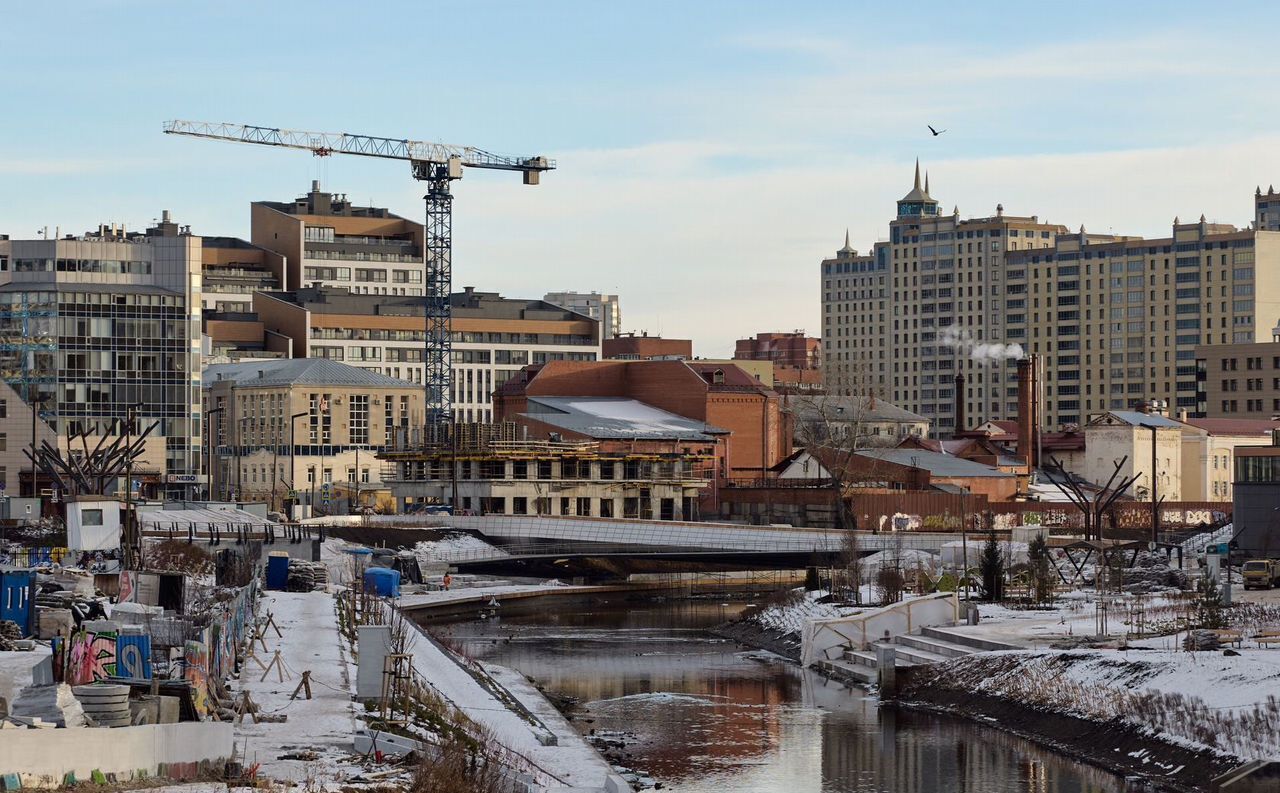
column 828, row 639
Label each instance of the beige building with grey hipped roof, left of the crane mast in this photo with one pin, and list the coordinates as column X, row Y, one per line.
column 308, row 425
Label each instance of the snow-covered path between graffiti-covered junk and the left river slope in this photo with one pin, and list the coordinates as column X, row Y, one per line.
column 323, row 725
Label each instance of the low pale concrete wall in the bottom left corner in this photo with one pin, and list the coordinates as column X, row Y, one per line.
column 44, row 758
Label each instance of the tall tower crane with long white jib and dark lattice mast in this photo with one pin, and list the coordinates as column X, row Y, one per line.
column 437, row 164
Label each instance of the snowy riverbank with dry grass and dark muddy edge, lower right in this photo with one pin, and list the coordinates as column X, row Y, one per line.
column 1181, row 717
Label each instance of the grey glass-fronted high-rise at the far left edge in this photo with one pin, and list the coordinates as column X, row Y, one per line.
column 99, row 326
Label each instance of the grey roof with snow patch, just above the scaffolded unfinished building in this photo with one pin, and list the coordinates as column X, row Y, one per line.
column 616, row 418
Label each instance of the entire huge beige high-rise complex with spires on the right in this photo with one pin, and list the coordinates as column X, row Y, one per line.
column 1116, row 320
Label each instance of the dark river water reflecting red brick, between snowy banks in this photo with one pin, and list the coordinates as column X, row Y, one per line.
column 703, row 716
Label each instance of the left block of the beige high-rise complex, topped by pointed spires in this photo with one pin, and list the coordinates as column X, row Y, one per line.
column 926, row 306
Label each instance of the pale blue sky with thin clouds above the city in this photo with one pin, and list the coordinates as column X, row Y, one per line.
column 710, row 154
